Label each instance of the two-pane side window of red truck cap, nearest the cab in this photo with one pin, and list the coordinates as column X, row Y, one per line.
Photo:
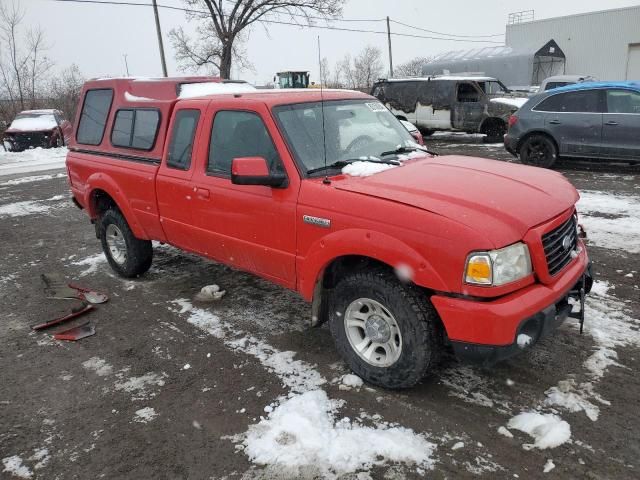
column 135, row 128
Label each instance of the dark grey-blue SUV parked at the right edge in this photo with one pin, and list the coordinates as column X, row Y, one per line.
column 599, row 120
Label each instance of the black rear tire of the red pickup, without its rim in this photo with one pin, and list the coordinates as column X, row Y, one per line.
column 138, row 253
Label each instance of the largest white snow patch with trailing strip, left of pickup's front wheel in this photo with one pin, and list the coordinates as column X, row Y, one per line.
column 302, row 429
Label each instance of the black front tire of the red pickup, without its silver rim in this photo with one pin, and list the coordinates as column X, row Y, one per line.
column 415, row 317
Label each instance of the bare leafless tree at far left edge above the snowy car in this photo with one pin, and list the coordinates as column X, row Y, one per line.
column 22, row 60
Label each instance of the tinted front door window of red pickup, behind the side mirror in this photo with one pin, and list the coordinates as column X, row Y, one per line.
column 238, row 134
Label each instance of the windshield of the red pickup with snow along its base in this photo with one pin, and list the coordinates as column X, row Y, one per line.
column 354, row 130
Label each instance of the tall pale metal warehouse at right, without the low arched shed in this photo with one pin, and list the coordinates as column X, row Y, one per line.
column 604, row 44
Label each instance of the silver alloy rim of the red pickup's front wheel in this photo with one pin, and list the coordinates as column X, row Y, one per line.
column 373, row 332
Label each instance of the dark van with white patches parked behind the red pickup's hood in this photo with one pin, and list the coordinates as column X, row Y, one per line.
column 461, row 103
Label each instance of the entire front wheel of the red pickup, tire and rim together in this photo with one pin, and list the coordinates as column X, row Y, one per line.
column 387, row 332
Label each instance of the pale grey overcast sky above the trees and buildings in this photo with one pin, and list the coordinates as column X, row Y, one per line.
column 95, row 37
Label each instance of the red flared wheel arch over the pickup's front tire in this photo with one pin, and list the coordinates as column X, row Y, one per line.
column 365, row 243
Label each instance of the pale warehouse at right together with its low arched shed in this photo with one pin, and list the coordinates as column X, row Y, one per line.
column 604, row 44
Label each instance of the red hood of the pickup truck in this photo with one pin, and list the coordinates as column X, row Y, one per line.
column 498, row 199
